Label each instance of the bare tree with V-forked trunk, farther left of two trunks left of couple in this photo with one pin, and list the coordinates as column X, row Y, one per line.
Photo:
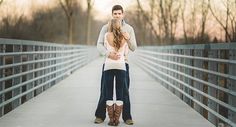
column 67, row 6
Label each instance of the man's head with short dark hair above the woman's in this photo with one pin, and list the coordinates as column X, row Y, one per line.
column 117, row 12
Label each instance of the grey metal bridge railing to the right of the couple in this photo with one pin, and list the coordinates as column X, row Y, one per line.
column 202, row 75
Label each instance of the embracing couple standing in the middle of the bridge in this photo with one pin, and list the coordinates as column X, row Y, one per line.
column 115, row 40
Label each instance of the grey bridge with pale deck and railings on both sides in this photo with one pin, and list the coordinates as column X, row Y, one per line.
column 54, row 85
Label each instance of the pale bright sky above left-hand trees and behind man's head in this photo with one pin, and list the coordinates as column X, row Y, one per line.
column 101, row 8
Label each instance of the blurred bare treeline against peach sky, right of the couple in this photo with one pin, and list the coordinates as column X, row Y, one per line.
column 184, row 21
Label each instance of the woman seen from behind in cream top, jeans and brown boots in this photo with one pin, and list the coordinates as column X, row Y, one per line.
column 115, row 42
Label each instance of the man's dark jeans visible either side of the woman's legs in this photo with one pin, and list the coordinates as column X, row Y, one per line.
column 101, row 108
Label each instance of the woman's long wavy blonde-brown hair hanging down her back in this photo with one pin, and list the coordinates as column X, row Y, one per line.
column 115, row 28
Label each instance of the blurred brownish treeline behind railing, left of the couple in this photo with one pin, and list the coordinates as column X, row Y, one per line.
column 50, row 25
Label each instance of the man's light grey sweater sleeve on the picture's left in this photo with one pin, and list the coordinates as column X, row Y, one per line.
column 100, row 42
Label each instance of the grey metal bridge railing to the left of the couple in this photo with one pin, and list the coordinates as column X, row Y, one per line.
column 27, row 68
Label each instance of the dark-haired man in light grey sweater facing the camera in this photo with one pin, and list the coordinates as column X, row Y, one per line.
column 117, row 13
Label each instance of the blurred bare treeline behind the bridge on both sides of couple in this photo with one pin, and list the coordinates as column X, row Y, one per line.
column 160, row 22
